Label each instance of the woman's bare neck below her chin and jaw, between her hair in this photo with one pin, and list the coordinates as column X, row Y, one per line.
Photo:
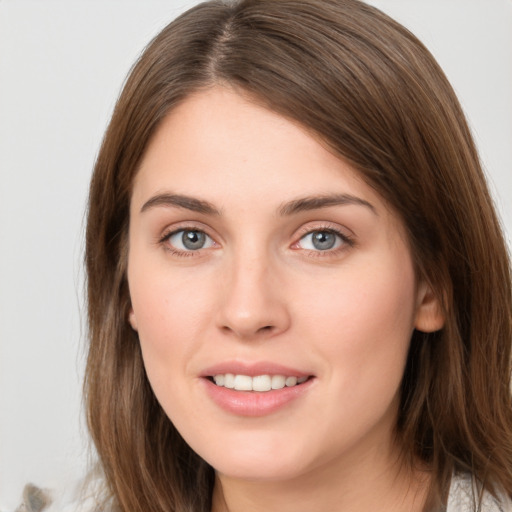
column 366, row 485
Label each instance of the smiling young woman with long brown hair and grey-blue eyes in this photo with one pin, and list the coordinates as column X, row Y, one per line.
column 299, row 293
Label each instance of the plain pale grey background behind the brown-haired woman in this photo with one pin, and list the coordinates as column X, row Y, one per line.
column 62, row 64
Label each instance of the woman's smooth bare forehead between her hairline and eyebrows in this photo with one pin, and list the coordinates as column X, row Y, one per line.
column 220, row 143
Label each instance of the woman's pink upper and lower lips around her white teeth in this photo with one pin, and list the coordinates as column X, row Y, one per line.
column 254, row 403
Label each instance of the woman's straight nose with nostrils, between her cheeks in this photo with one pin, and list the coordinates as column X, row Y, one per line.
column 253, row 304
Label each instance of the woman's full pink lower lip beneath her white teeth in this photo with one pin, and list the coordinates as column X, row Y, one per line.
column 254, row 403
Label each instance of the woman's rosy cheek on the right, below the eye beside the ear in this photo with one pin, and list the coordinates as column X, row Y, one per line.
column 363, row 318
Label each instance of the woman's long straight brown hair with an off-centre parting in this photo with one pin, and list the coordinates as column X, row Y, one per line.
column 373, row 93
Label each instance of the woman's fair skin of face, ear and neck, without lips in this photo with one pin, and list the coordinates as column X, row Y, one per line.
column 260, row 290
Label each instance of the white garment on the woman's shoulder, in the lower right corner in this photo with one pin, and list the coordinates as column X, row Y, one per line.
column 464, row 494
